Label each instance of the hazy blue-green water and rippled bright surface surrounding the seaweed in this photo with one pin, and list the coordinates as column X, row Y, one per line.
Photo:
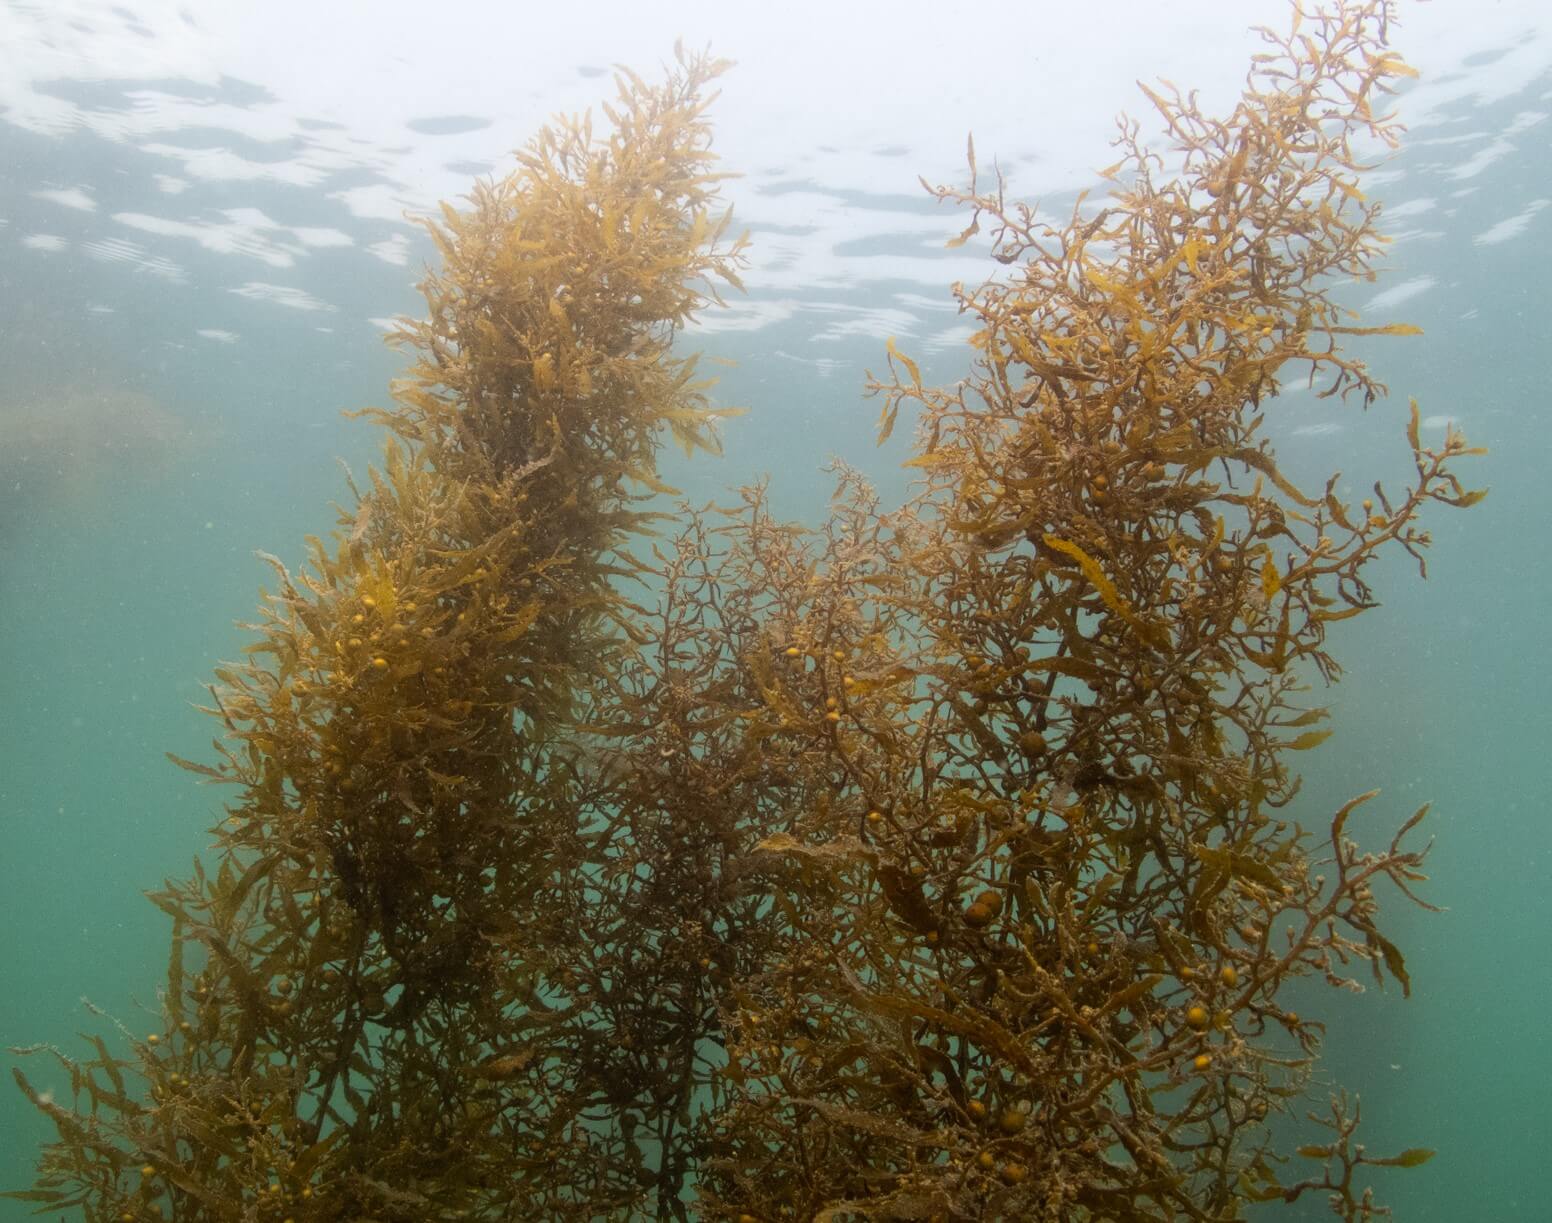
column 203, row 237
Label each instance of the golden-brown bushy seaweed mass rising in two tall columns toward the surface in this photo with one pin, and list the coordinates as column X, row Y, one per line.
column 937, row 864
